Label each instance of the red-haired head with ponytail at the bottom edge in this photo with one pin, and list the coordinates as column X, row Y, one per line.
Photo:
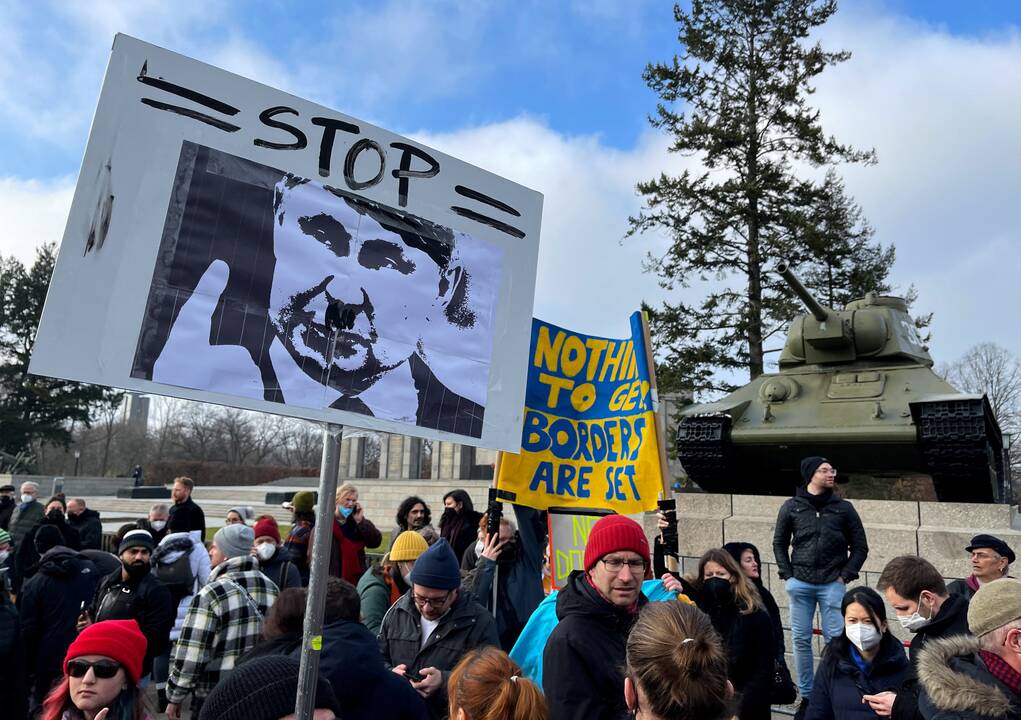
column 487, row 685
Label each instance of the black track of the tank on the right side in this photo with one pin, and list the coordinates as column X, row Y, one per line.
column 955, row 440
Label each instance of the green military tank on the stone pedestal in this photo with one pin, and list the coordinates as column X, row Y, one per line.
column 856, row 387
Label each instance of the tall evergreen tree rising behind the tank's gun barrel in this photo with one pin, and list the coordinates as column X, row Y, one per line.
column 737, row 101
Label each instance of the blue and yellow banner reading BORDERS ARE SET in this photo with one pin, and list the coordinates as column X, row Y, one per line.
column 590, row 438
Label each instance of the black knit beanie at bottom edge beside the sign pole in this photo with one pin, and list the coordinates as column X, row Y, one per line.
column 265, row 689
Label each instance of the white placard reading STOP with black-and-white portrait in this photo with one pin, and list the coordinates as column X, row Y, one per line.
column 234, row 245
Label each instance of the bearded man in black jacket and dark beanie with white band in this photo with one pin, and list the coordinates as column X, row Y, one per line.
column 133, row 594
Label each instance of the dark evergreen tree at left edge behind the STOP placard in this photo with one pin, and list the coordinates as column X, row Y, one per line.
column 34, row 409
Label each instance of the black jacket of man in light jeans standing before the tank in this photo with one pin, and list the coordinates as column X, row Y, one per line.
column 828, row 544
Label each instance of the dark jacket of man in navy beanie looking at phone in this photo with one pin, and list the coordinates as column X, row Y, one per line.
column 466, row 627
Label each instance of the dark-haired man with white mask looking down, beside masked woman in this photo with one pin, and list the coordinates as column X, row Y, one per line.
column 917, row 593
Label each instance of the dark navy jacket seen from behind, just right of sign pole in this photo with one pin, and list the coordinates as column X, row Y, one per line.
column 366, row 690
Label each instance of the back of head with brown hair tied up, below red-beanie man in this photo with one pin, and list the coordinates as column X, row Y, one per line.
column 676, row 666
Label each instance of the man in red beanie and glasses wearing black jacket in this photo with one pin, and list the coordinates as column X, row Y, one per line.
column 584, row 661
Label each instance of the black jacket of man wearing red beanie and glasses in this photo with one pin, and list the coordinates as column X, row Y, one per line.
column 586, row 654
